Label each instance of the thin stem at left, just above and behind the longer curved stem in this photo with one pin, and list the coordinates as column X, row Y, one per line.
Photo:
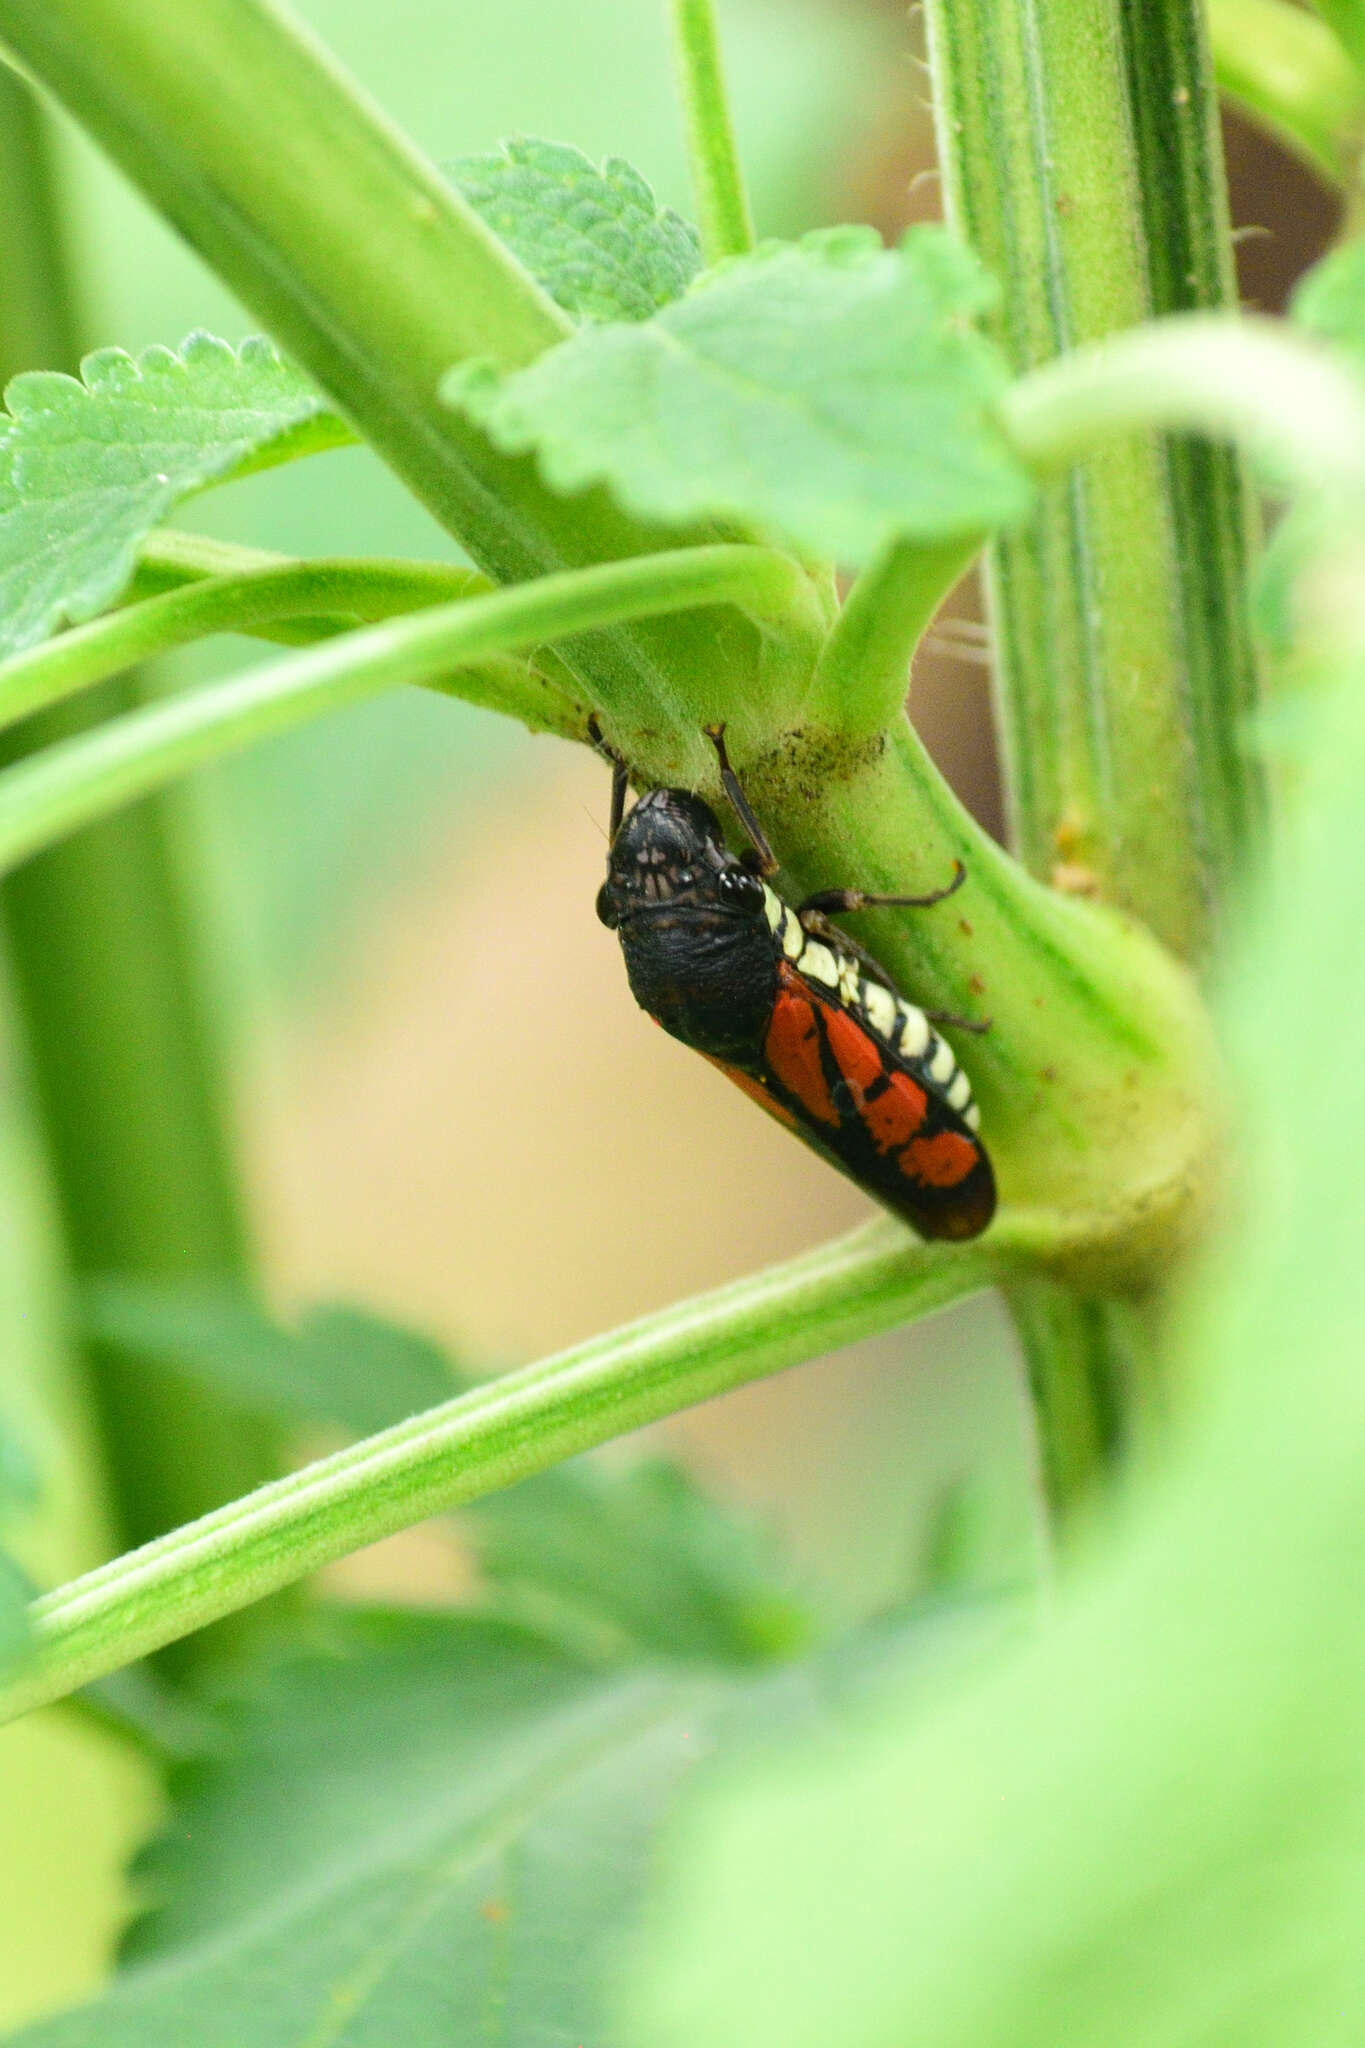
column 322, row 597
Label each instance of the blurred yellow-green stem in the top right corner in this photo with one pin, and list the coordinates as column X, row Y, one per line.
column 1290, row 73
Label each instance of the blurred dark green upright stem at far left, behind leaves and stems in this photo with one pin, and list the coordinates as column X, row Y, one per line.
column 122, row 1058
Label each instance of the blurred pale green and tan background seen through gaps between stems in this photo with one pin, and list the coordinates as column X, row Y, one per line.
column 478, row 1175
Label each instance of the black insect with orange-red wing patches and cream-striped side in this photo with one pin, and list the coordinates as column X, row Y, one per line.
column 791, row 1009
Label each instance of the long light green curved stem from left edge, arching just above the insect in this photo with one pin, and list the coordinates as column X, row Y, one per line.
column 89, row 777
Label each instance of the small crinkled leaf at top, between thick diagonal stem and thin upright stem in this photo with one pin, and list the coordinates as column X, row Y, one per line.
column 597, row 241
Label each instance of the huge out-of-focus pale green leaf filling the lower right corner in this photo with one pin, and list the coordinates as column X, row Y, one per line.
column 1149, row 1826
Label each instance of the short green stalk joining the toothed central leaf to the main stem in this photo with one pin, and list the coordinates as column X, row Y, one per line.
column 865, row 671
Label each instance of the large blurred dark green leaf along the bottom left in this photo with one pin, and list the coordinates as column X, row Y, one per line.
column 441, row 1836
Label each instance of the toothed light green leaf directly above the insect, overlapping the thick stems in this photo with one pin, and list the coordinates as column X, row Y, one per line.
column 832, row 392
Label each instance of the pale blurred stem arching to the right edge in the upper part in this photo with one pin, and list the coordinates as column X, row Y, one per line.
column 1278, row 394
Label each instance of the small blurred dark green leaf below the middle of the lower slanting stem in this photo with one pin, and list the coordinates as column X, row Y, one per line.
column 644, row 1560
